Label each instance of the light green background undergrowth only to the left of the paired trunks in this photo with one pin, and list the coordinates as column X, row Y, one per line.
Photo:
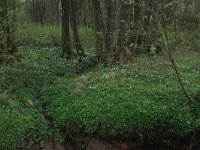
column 32, row 34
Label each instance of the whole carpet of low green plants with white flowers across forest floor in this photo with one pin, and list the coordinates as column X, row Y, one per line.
column 43, row 96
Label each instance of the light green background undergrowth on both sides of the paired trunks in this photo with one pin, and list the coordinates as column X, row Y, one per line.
column 50, row 36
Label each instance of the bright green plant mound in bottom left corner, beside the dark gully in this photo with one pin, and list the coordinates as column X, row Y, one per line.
column 18, row 124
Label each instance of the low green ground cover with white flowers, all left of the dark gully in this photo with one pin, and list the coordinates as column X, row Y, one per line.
column 22, row 85
